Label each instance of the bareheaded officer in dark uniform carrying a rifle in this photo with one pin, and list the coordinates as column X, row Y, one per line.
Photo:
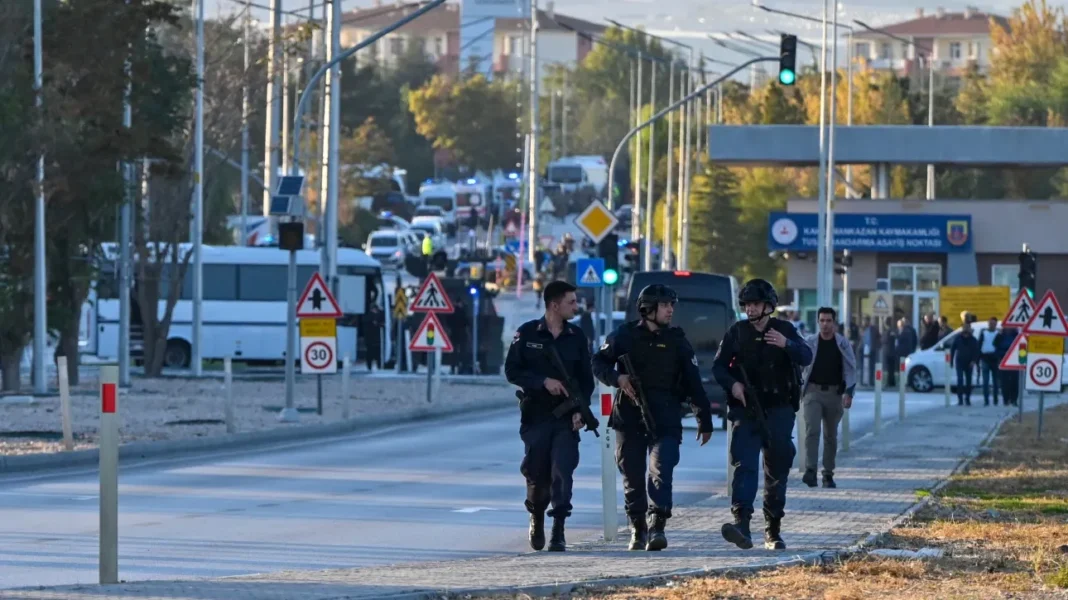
column 552, row 445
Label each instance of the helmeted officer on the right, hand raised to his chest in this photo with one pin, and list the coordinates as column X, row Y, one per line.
column 769, row 354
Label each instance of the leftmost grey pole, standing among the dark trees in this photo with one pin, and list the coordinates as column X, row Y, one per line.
column 40, row 275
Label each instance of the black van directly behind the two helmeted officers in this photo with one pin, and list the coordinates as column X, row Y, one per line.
column 705, row 310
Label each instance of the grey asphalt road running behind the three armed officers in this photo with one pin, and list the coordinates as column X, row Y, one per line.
column 445, row 491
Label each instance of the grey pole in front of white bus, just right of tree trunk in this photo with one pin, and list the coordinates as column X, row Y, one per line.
column 198, row 229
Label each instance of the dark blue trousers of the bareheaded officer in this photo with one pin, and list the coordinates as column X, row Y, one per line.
column 549, row 463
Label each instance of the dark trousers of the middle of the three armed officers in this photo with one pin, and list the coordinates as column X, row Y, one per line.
column 631, row 453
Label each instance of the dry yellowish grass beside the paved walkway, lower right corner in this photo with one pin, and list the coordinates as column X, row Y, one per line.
column 1003, row 528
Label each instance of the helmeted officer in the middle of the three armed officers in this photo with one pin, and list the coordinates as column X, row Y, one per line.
column 668, row 372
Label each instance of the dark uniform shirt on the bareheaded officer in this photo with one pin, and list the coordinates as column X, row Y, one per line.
column 528, row 366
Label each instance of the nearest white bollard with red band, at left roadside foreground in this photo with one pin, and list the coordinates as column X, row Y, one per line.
column 109, row 475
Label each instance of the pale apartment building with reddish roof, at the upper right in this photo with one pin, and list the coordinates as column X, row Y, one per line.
column 953, row 41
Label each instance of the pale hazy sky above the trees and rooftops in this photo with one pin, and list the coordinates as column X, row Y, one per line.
column 690, row 22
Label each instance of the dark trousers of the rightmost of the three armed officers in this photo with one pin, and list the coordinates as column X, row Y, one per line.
column 745, row 454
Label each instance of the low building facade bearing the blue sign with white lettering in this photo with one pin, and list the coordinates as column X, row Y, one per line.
column 915, row 248
